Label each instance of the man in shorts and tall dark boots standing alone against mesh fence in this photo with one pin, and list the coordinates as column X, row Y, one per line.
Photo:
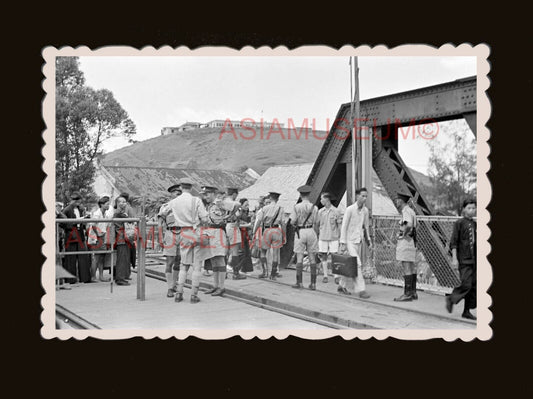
column 405, row 247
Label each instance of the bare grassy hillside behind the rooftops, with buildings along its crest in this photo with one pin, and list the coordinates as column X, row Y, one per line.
column 209, row 149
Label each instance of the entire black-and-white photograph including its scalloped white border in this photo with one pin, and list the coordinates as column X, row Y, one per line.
column 266, row 192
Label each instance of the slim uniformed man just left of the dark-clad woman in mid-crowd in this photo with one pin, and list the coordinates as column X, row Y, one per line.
column 233, row 231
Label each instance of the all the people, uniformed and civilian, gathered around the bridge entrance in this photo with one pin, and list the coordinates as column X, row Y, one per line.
column 216, row 233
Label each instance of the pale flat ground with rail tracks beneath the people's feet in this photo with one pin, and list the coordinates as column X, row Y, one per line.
column 120, row 310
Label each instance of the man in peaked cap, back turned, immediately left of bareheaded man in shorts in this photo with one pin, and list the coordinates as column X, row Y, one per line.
column 303, row 218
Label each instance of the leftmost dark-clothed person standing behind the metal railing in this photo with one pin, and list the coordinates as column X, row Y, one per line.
column 78, row 265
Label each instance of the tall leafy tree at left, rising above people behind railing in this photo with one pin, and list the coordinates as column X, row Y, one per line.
column 85, row 118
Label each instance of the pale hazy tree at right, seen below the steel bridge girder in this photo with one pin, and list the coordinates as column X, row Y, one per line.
column 452, row 167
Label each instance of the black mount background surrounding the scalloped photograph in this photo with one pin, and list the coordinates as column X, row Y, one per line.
column 332, row 366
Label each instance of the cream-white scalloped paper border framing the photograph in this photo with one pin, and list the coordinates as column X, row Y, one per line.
column 483, row 330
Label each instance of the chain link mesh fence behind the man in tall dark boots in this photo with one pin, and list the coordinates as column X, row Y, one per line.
column 433, row 258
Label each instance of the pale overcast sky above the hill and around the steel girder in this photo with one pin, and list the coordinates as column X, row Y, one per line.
column 168, row 91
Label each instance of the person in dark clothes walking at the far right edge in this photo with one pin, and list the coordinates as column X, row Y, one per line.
column 463, row 246
